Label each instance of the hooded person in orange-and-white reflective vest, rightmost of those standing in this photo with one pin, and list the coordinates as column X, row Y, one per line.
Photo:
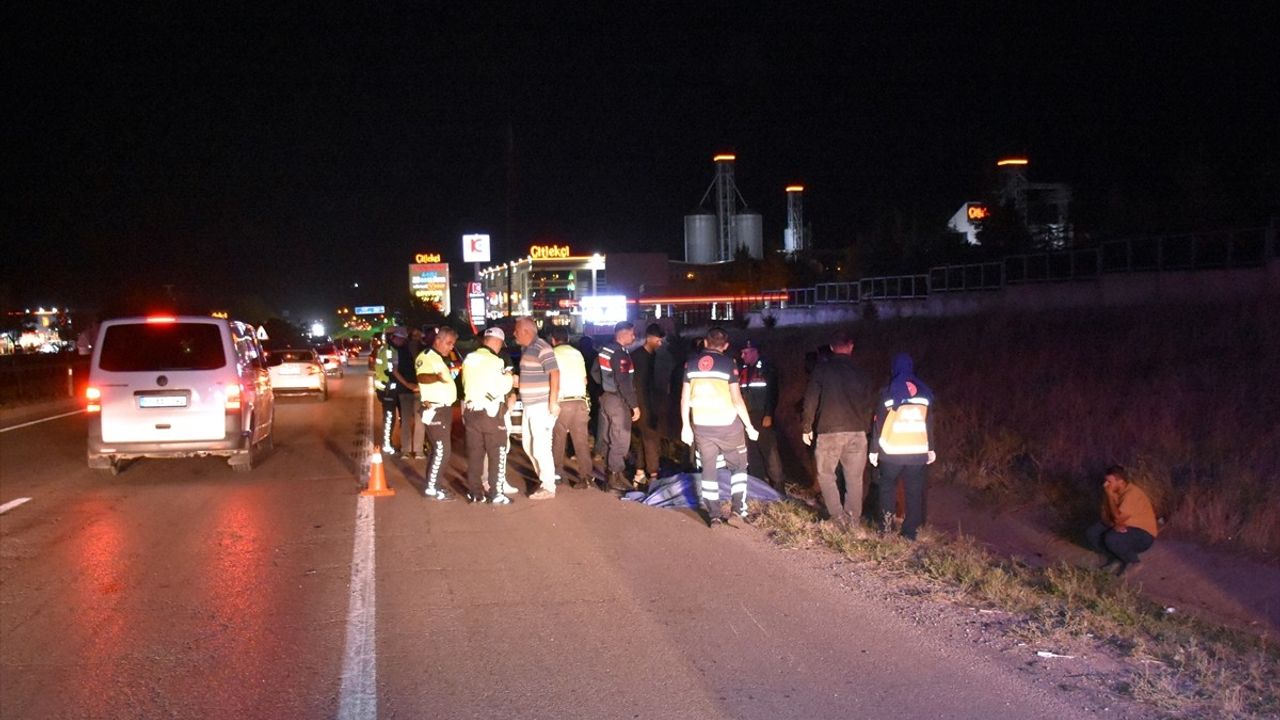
column 902, row 444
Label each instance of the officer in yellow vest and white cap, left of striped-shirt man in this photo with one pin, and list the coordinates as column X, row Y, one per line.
column 487, row 385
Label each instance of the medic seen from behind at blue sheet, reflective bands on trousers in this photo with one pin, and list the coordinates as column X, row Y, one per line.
column 714, row 420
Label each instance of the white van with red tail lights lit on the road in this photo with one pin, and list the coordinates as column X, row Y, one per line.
column 177, row 388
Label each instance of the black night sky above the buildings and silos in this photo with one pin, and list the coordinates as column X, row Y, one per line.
column 286, row 154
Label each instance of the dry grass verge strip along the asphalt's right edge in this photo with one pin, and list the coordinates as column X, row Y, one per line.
column 1181, row 666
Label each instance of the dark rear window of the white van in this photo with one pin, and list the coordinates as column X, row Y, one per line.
column 163, row 347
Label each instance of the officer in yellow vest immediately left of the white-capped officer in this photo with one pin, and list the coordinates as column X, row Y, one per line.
column 438, row 393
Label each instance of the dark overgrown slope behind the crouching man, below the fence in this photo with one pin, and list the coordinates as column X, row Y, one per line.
column 1032, row 408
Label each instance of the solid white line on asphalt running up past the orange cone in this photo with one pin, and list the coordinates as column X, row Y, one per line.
column 358, row 696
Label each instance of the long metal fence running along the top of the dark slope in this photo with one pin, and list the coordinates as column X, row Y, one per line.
column 1249, row 248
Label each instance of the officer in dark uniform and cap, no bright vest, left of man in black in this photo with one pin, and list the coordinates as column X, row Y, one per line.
column 620, row 407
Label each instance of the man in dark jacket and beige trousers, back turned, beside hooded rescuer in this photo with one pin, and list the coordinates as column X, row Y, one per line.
column 838, row 405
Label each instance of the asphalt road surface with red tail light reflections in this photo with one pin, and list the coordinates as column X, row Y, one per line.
column 182, row 590
